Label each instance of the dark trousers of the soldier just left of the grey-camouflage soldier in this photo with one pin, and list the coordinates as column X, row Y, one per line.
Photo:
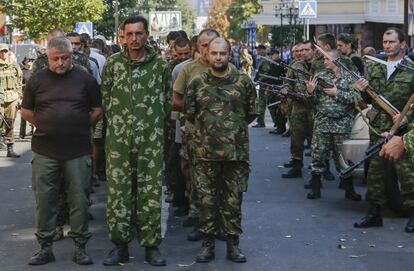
column 301, row 128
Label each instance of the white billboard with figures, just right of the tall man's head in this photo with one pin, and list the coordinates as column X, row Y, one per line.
column 162, row 22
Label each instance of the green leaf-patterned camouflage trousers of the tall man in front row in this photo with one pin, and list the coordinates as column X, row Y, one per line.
column 134, row 181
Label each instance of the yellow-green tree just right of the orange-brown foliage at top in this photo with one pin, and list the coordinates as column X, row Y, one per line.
column 239, row 12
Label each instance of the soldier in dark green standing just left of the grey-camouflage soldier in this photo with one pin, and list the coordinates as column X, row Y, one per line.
column 301, row 117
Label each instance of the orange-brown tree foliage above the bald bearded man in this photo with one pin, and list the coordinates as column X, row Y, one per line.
column 217, row 16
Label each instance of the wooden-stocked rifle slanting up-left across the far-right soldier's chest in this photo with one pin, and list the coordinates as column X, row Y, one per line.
column 375, row 95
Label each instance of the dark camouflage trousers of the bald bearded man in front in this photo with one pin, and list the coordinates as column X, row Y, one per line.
column 220, row 186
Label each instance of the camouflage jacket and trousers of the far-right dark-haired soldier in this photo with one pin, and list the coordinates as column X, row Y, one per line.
column 397, row 90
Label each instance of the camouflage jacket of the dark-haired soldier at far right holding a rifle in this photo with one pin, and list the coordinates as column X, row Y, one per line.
column 397, row 90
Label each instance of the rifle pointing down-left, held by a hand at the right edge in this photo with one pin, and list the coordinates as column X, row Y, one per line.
column 398, row 128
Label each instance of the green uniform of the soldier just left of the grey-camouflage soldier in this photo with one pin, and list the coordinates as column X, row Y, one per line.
column 301, row 116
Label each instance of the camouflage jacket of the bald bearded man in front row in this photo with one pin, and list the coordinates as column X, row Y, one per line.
column 220, row 110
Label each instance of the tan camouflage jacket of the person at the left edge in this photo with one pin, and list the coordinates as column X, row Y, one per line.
column 11, row 79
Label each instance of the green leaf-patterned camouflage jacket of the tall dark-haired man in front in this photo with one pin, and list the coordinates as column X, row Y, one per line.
column 136, row 98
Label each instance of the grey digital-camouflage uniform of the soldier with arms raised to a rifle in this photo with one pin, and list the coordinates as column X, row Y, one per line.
column 333, row 119
